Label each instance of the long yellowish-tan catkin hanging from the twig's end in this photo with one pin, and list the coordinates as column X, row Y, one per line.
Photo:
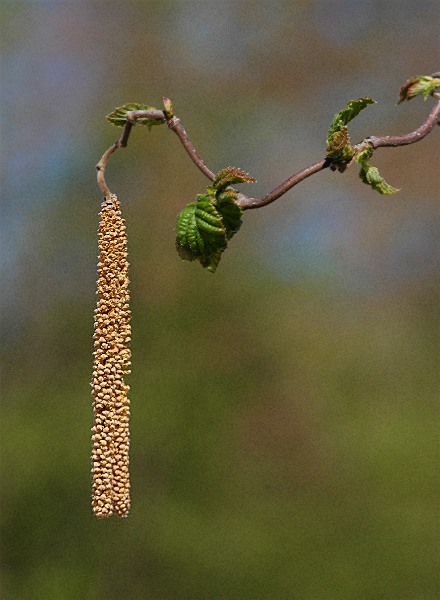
column 111, row 406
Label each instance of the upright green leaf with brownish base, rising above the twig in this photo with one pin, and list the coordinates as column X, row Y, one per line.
column 338, row 140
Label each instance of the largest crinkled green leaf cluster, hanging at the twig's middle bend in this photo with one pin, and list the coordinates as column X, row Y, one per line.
column 204, row 227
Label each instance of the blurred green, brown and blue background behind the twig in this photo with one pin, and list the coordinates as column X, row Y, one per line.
column 285, row 409
